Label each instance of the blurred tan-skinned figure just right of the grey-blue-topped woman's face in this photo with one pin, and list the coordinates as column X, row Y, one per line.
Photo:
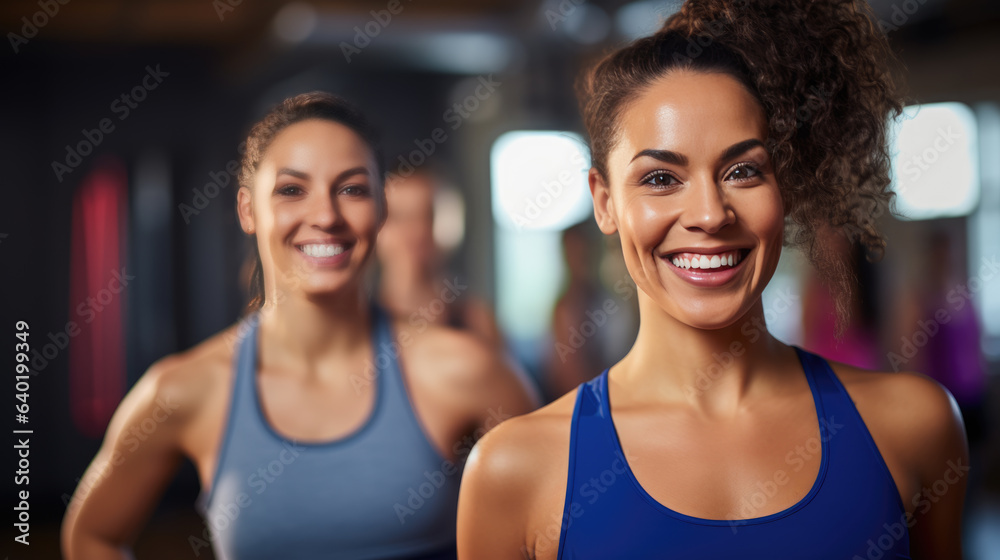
column 413, row 285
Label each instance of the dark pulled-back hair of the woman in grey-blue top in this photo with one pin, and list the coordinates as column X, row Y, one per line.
column 306, row 106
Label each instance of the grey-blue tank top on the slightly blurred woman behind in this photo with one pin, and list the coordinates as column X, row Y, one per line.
column 381, row 492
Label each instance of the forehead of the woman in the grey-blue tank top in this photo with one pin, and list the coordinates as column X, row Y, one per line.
column 316, row 141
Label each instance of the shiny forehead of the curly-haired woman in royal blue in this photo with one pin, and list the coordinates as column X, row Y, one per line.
column 694, row 113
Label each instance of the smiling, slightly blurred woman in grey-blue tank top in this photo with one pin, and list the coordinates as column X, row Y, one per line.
column 316, row 425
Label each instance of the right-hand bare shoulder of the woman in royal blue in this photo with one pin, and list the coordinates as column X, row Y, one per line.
column 909, row 415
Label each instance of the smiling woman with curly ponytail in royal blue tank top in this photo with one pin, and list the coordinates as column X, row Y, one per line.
column 736, row 129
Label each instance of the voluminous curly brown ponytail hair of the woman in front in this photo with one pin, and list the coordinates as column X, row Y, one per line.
column 821, row 70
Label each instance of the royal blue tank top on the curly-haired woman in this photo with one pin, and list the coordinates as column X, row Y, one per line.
column 852, row 511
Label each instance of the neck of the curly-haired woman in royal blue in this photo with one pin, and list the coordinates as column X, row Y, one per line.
column 711, row 370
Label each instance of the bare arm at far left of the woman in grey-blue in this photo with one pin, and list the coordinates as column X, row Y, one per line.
column 124, row 482
